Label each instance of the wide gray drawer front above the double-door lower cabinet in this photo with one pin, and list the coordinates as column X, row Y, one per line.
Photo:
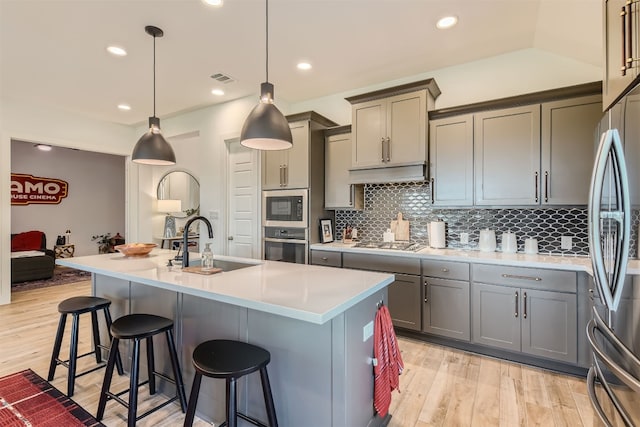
column 535, row 278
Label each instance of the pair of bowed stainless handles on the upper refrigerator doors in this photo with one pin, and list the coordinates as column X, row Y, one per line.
column 610, row 264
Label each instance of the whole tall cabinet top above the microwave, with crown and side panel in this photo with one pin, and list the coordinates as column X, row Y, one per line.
column 301, row 166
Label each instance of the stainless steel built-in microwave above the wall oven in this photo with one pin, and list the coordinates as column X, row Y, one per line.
column 285, row 208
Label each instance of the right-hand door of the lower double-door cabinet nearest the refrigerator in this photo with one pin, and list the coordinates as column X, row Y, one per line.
column 549, row 325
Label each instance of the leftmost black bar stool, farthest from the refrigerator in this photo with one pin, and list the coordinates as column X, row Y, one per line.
column 77, row 306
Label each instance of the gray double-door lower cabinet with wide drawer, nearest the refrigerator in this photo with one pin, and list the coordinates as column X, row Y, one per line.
column 532, row 320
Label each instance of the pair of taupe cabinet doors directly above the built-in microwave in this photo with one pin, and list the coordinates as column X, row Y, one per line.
column 288, row 168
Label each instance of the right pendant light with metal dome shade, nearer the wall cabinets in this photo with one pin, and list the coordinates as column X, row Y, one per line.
column 266, row 128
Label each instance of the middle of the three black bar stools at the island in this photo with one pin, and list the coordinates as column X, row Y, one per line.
column 137, row 327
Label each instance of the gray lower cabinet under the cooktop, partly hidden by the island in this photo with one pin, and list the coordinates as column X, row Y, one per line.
column 405, row 299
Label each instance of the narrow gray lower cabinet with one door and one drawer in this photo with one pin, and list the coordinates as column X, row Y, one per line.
column 446, row 307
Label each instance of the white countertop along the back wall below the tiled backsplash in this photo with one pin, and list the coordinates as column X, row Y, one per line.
column 556, row 262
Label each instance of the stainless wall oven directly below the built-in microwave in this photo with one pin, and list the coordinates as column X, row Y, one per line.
column 286, row 244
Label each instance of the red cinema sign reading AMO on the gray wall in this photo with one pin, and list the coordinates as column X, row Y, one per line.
column 29, row 189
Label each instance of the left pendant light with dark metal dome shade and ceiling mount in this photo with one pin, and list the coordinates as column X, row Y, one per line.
column 152, row 148
